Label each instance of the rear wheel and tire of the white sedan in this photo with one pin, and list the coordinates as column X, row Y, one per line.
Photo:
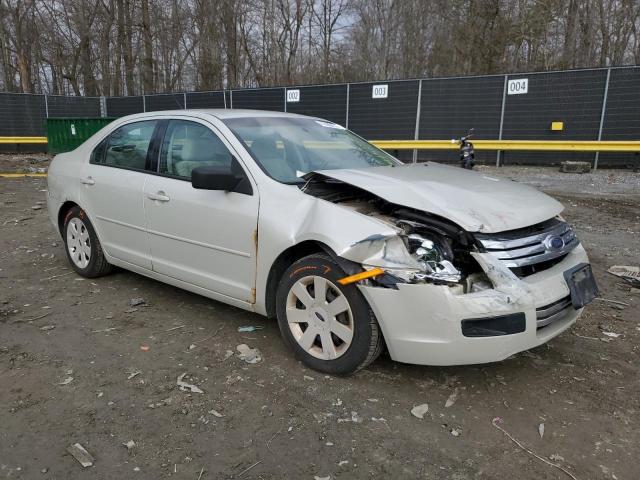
column 82, row 245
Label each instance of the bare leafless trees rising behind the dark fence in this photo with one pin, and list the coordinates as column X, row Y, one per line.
column 129, row 47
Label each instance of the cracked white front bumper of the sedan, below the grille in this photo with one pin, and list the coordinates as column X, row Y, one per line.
column 422, row 323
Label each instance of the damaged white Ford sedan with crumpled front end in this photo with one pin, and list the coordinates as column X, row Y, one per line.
column 298, row 218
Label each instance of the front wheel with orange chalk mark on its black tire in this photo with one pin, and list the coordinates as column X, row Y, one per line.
column 339, row 339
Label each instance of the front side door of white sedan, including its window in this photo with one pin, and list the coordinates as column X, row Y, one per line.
column 203, row 237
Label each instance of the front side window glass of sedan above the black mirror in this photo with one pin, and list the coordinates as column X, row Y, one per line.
column 188, row 145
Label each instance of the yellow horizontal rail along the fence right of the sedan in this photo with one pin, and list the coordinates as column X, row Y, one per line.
column 512, row 145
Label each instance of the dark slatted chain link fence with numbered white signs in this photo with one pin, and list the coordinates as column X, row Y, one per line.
column 593, row 104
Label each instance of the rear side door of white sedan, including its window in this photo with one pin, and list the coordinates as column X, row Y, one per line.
column 112, row 192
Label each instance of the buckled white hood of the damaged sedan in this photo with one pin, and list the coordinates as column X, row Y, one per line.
column 476, row 202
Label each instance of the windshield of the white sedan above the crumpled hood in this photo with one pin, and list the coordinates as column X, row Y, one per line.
column 286, row 148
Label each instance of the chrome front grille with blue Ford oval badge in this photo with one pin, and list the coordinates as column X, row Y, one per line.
column 532, row 245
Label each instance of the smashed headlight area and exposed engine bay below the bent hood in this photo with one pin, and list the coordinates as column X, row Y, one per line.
column 424, row 248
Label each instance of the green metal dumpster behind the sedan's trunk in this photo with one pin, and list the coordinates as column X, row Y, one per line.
column 65, row 134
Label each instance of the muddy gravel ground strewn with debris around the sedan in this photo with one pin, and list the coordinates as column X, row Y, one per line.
column 79, row 364
